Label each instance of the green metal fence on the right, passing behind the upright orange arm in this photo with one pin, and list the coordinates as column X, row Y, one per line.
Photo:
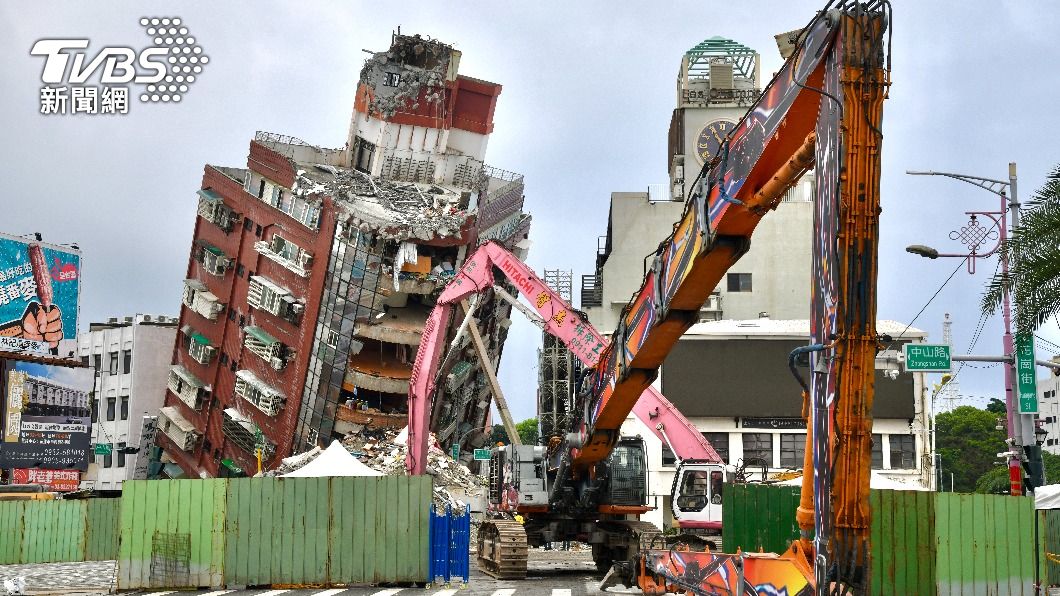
column 923, row 542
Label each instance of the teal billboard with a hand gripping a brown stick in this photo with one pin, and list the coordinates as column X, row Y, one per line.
column 40, row 288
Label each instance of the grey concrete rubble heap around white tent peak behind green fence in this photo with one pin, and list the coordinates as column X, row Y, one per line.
column 382, row 450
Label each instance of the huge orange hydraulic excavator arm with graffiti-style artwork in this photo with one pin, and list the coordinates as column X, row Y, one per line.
column 824, row 109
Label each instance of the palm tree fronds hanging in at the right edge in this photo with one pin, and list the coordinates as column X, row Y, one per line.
column 1034, row 257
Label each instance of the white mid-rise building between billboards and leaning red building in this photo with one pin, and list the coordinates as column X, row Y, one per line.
column 131, row 358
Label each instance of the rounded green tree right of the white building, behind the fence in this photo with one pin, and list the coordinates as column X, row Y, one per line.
column 968, row 443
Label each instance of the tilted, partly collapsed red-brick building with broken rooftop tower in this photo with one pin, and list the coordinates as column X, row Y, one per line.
column 313, row 272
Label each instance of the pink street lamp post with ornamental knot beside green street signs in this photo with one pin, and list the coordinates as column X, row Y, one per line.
column 1020, row 427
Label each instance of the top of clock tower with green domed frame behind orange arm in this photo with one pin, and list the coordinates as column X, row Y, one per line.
column 719, row 80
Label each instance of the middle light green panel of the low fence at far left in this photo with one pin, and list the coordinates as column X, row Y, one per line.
column 54, row 532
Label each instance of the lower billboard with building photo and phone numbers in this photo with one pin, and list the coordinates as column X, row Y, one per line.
column 46, row 418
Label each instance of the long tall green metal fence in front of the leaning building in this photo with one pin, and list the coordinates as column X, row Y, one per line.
column 274, row 532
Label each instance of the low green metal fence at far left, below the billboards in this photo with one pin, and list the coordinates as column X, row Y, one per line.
column 51, row 532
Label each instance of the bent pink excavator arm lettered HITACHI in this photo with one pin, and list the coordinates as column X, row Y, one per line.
column 562, row 322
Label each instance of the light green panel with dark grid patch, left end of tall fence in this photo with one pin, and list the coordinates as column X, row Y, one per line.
column 172, row 534
